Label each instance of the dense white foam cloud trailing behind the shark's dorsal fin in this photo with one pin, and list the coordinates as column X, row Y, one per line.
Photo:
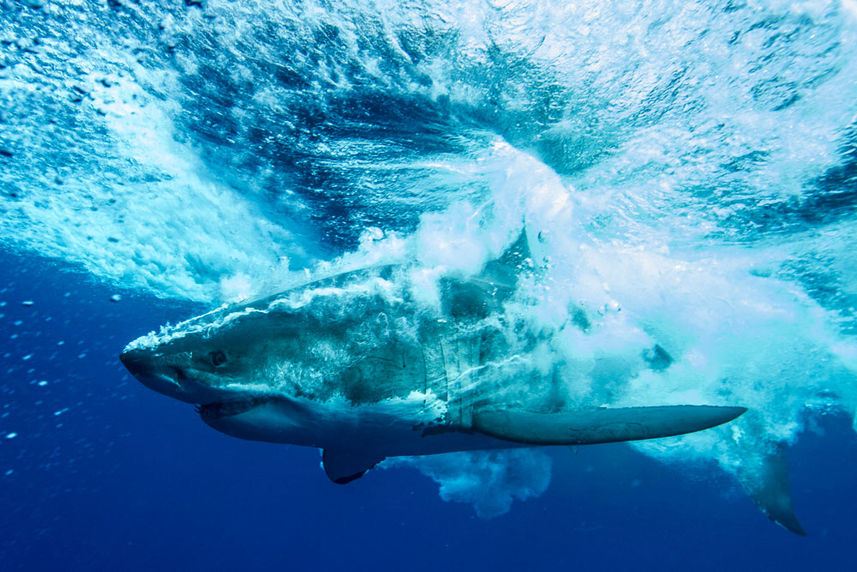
column 735, row 337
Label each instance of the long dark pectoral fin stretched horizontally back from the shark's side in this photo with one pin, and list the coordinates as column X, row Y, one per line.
column 600, row 425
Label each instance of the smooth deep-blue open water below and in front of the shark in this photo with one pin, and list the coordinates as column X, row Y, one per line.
column 103, row 474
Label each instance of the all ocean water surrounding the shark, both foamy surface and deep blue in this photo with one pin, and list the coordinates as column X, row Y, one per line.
column 687, row 174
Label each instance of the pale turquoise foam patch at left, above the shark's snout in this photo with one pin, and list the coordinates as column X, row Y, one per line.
column 167, row 227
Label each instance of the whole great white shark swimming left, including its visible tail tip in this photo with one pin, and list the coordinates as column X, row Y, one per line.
column 356, row 365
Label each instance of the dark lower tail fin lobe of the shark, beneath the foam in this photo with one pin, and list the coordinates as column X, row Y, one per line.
column 766, row 480
